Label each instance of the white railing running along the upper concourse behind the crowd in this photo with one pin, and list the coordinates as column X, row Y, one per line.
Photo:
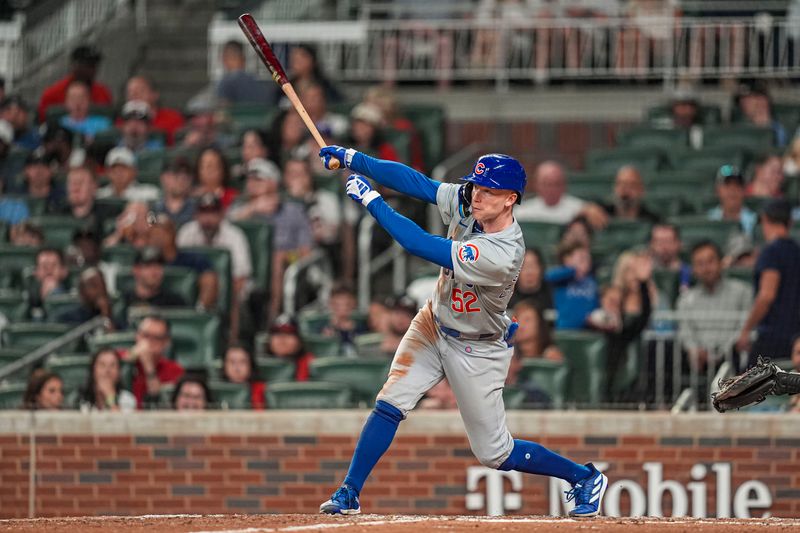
column 502, row 49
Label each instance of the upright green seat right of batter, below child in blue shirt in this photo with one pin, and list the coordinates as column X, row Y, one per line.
column 585, row 357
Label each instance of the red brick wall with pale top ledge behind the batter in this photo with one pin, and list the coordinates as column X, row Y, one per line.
column 221, row 463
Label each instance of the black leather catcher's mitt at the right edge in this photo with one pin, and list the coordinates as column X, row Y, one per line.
column 749, row 388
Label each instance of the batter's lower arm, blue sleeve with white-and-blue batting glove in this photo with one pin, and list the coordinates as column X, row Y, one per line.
column 414, row 239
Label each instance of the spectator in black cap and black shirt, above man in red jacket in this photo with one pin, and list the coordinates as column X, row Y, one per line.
column 148, row 283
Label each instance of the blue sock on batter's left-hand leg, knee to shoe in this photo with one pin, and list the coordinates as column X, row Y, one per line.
column 375, row 439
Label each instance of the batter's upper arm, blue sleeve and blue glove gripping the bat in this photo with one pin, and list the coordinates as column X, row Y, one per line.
column 388, row 173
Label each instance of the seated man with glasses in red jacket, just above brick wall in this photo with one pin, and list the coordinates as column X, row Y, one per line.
column 153, row 367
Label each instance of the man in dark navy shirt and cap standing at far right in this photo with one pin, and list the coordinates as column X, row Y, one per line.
column 775, row 315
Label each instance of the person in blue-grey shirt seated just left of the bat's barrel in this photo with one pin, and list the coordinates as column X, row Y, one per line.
column 237, row 86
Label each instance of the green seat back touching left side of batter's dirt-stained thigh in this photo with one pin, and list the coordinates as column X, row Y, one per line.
column 364, row 377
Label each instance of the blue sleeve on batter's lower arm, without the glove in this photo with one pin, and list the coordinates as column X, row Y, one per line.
column 414, row 239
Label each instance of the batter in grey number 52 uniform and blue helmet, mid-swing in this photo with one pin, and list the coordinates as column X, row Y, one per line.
column 463, row 332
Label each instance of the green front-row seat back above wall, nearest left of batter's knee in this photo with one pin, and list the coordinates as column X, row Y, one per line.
column 308, row 395
